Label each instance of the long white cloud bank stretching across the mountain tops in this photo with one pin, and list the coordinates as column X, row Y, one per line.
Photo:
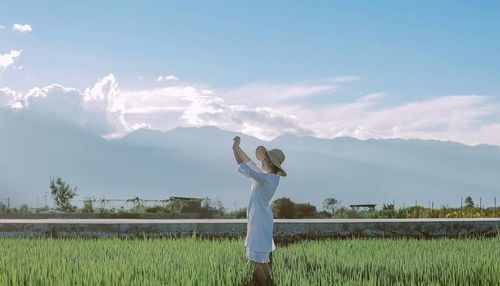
column 262, row 110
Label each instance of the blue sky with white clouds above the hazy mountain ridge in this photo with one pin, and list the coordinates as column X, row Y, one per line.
column 330, row 56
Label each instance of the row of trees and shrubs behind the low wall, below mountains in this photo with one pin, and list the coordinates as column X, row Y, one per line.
column 283, row 208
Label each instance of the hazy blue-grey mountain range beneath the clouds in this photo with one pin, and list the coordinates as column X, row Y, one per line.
column 199, row 162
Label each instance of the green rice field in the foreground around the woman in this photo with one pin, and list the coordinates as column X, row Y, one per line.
column 193, row 261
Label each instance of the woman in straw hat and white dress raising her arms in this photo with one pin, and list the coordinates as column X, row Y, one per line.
column 259, row 240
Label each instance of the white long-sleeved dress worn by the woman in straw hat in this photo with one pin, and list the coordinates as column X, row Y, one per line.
column 260, row 216
